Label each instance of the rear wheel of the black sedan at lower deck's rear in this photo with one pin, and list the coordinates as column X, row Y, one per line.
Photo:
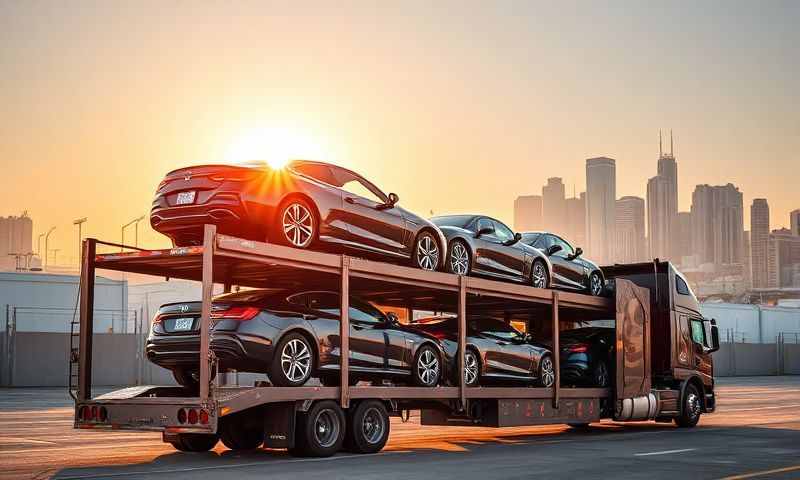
column 292, row 361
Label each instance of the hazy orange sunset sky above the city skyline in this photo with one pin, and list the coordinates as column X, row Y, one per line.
column 457, row 106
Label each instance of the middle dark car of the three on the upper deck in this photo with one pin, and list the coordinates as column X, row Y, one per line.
column 481, row 245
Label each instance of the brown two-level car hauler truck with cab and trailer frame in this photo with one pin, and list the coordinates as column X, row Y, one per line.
column 663, row 367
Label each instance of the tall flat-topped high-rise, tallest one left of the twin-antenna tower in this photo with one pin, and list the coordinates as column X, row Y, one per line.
column 601, row 196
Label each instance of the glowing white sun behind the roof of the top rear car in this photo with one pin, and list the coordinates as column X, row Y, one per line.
column 275, row 146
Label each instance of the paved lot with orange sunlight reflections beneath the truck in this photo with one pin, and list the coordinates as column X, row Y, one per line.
column 756, row 430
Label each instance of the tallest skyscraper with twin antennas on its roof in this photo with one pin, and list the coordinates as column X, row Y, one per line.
column 662, row 205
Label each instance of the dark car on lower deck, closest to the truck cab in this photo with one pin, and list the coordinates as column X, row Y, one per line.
column 587, row 356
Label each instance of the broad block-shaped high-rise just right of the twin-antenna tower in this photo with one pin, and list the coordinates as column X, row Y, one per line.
column 718, row 225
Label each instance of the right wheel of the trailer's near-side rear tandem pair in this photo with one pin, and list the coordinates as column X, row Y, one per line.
column 367, row 427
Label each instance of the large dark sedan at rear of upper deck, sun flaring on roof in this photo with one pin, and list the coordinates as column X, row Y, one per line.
column 304, row 205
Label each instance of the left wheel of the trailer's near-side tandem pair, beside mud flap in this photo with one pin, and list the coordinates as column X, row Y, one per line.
column 320, row 431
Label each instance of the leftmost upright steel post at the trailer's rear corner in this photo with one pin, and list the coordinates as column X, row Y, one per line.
column 86, row 320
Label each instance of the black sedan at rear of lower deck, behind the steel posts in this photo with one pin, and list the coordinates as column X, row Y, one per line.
column 292, row 336
